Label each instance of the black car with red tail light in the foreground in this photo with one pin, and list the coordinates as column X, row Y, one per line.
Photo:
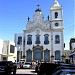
column 46, row 68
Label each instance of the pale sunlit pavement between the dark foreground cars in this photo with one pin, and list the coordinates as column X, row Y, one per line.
column 25, row 72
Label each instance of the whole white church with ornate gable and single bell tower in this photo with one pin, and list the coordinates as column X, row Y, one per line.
column 42, row 40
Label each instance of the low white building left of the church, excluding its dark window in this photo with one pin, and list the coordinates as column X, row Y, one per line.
column 5, row 50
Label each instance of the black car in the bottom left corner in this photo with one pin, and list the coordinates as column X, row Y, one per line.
column 7, row 67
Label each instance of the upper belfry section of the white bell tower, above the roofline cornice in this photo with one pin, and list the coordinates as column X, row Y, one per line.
column 56, row 15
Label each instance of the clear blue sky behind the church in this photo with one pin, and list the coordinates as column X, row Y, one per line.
column 14, row 15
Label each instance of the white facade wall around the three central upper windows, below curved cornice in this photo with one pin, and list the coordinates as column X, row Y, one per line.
column 42, row 33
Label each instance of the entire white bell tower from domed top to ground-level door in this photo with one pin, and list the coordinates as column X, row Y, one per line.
column 56, row 22
